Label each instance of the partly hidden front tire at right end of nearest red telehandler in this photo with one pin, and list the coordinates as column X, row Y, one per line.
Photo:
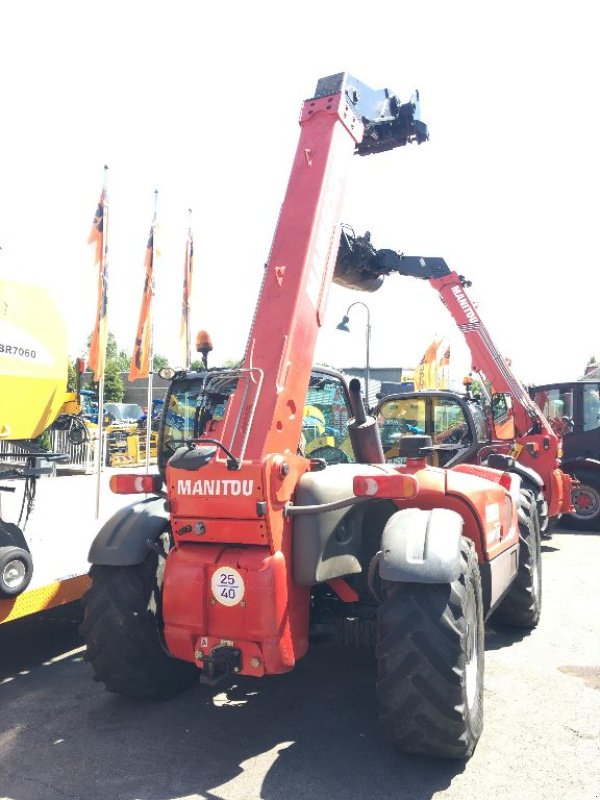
column 522, row 605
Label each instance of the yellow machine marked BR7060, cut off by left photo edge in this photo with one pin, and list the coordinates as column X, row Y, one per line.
column 33, row 383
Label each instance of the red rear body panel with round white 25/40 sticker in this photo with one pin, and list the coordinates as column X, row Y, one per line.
column 268, row 622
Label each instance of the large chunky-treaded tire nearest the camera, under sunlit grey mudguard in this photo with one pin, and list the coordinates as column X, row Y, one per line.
column 430, row 656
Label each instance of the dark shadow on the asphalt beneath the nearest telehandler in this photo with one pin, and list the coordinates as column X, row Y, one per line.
column 311, row 733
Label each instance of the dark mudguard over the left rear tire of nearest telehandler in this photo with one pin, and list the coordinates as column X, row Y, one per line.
column 125, row 538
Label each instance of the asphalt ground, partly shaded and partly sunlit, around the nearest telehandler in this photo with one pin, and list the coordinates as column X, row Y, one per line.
column 312, row 733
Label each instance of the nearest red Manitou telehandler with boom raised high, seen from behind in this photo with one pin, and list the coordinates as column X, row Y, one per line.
column 248, row 546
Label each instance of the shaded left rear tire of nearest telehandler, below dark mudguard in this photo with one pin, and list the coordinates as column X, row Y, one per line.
column 121, row 628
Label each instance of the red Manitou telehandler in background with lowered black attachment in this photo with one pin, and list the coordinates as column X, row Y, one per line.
column 506, row 429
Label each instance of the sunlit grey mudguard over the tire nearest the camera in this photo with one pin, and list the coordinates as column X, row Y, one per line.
column 421, row 546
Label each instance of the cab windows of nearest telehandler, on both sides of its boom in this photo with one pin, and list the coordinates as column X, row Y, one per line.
column 196, row 403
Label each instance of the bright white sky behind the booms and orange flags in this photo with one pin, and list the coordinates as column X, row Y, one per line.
column 201, row 102
